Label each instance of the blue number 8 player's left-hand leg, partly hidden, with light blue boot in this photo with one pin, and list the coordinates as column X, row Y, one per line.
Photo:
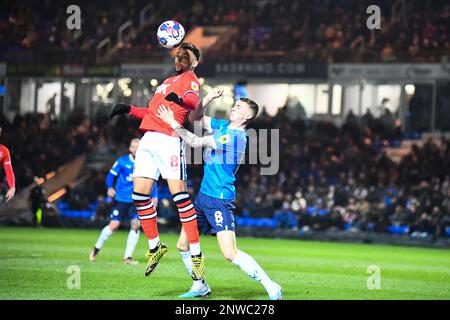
column 199, row 288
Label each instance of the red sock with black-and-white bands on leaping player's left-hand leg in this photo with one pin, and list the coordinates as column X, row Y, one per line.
column 147, row 214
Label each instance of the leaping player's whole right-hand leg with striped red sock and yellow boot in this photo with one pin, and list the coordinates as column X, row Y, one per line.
column 188, row 219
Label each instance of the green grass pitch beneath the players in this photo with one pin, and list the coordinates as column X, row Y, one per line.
column 34, row 265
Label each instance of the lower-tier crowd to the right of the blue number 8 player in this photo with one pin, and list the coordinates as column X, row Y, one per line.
column 340, row 178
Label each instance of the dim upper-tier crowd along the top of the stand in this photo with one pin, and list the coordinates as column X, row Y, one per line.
column 304, row 30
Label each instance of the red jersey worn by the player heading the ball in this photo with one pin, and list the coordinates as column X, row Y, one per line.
column 186, row 86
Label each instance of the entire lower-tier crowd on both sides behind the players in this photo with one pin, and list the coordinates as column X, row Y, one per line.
column 329, row 177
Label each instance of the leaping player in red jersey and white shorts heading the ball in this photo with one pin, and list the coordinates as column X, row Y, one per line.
column 161, row 152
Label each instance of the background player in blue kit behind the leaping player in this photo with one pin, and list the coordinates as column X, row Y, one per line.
column 124, row 208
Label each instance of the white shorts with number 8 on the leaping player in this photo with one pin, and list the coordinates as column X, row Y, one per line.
column 160, row 154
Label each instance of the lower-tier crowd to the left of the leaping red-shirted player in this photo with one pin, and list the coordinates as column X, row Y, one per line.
column 39, row 146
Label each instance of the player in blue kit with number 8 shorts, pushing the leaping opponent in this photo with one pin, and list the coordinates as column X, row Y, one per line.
column 215, row 202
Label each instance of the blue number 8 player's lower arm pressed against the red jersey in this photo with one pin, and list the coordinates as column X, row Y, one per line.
column 191, row 139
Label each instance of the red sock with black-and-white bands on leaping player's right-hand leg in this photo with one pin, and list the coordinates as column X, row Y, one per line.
column 188, row 217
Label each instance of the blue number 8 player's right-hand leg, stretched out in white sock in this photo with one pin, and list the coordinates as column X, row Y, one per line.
column 227, row 244
